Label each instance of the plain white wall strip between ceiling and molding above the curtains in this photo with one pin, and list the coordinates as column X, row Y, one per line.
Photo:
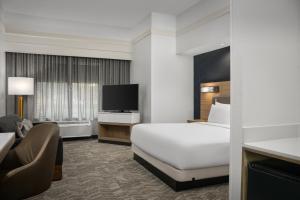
column 28, row 24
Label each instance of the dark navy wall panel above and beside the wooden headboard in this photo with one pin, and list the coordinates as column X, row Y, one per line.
column 213, row 66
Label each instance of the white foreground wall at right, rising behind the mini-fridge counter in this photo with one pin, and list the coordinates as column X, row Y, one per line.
column 265, row 64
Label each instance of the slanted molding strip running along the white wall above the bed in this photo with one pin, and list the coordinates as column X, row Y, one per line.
column 209, row 18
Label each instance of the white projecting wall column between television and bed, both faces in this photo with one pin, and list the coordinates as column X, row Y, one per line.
column 166, row 79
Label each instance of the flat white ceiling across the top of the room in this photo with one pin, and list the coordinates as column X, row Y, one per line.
column 116, row 13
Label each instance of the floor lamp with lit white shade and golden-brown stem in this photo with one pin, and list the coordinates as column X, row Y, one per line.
column 20, row 86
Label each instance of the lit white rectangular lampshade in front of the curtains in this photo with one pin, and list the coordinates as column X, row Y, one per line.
column 20, row 86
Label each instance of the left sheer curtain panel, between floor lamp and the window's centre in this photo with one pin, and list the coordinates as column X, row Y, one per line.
column 51, row 90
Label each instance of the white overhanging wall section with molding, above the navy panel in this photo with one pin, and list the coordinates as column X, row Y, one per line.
column 204, row 27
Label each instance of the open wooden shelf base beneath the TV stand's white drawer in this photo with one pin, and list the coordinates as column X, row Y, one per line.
column 117, row 133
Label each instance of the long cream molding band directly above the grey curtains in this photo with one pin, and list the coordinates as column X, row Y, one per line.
column 66, row 46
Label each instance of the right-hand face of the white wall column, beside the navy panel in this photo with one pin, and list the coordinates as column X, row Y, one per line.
column 172, row 82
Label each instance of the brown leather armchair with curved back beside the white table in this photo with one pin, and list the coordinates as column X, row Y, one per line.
column 28, row 169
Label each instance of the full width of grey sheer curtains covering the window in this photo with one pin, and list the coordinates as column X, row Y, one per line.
column 66, row 88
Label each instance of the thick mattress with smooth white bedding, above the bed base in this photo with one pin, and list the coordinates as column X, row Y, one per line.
column 184, row 146
